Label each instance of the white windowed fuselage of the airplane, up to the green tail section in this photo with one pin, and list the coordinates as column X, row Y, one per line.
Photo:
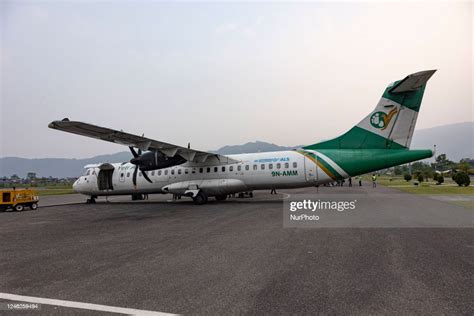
column 257, row 171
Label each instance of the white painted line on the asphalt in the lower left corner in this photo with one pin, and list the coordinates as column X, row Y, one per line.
column 80, row 305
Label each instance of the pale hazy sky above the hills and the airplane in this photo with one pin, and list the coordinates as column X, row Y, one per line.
column 216, row 74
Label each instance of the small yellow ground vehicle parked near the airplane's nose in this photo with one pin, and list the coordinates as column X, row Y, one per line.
column 18, row 199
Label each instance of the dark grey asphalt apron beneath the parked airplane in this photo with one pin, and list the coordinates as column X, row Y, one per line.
column 234, row 257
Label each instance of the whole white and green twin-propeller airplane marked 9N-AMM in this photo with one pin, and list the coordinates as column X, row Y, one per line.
column 381, row 140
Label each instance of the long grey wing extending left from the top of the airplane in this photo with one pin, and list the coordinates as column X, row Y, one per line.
column 144, row 143
